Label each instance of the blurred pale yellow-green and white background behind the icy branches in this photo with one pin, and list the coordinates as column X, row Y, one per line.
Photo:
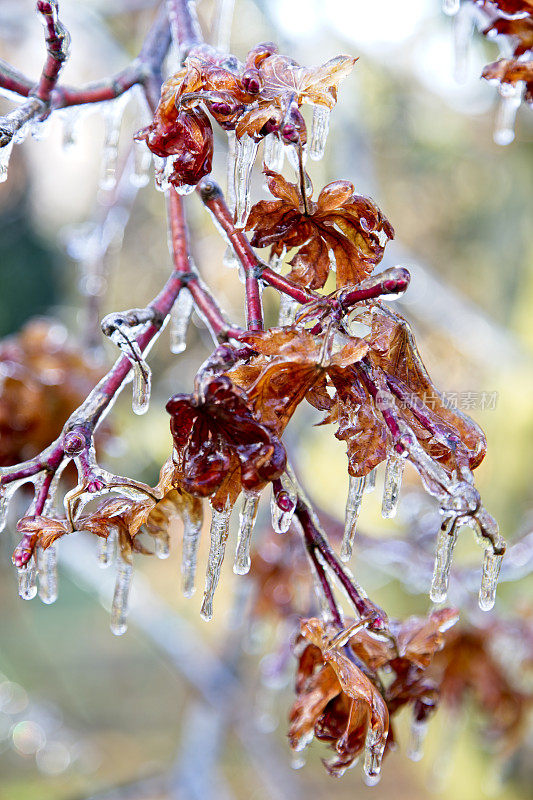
column 122, row 712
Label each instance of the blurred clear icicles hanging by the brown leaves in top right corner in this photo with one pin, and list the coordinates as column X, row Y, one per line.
column 469, row 17
